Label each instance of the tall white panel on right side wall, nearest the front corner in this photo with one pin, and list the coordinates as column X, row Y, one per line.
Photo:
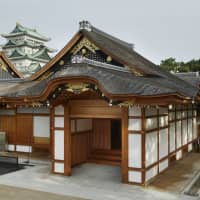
column 151, row 148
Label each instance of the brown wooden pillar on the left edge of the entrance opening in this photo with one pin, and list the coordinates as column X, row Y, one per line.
column 67, row 143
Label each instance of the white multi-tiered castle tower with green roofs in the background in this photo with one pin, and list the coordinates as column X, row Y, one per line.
column 26, row 48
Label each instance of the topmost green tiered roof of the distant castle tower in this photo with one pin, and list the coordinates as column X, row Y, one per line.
column 22, row 30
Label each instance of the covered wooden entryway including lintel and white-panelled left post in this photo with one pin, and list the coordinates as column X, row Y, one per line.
column 86, row 131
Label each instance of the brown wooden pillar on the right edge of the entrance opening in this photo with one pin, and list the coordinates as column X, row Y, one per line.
column 124, row 164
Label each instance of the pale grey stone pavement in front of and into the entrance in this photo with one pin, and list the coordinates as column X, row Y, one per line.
column 89, row 181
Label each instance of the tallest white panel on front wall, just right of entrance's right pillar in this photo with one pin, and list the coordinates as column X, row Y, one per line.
column 134, row 150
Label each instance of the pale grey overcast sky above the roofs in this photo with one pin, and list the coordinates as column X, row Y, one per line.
column 158, row 28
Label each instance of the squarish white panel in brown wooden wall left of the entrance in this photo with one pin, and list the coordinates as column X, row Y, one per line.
column 41, row 126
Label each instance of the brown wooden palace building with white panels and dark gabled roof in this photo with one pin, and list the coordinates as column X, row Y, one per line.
column 100, row 101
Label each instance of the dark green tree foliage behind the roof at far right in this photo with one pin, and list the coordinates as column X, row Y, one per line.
column 170, row 64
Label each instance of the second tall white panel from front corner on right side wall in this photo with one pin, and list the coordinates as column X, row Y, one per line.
column 163, row 143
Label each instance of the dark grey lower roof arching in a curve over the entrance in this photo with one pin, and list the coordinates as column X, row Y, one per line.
column 114, row 82
